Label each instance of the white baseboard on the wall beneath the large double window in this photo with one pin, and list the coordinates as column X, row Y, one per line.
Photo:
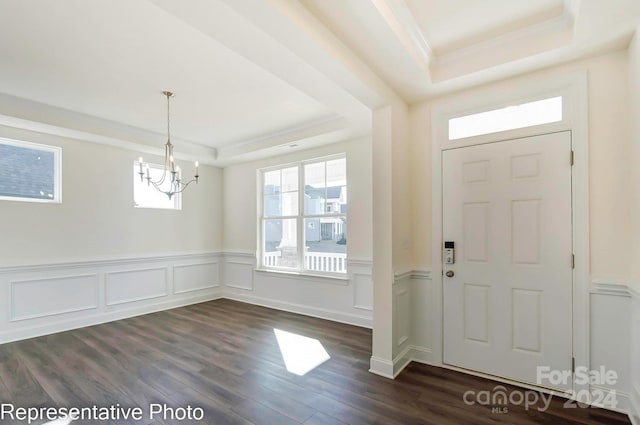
column 336, row 316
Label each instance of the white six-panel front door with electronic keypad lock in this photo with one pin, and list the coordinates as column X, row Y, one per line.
column 508, row 303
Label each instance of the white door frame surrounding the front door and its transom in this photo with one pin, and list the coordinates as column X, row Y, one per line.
column 573, row 89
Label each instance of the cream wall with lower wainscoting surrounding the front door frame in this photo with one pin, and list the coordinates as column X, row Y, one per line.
column 611, row 238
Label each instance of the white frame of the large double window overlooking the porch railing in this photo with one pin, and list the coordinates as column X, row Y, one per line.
column 300, row 218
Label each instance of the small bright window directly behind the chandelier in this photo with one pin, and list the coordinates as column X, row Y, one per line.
column 146, row 195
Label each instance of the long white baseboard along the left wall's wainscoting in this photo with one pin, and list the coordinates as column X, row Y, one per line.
column 70, row 324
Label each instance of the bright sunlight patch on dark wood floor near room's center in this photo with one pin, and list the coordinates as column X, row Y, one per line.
column 300, row 353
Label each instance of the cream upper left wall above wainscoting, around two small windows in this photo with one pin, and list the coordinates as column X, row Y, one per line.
column 97, row 220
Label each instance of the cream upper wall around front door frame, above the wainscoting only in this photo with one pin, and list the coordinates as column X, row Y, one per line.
column 609, row 166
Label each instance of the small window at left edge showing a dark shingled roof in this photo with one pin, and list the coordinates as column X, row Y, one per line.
column 30, row 172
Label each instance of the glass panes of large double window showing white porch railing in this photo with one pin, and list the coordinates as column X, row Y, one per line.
column 304, row 217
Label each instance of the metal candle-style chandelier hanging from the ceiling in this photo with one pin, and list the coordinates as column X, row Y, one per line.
column 170, row 182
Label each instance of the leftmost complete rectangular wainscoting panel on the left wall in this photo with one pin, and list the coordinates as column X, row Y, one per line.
column 43, row 297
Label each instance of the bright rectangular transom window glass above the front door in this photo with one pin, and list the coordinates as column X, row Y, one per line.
column 529, row 114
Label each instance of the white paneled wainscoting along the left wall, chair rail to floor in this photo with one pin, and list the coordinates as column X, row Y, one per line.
column 47, row 298
